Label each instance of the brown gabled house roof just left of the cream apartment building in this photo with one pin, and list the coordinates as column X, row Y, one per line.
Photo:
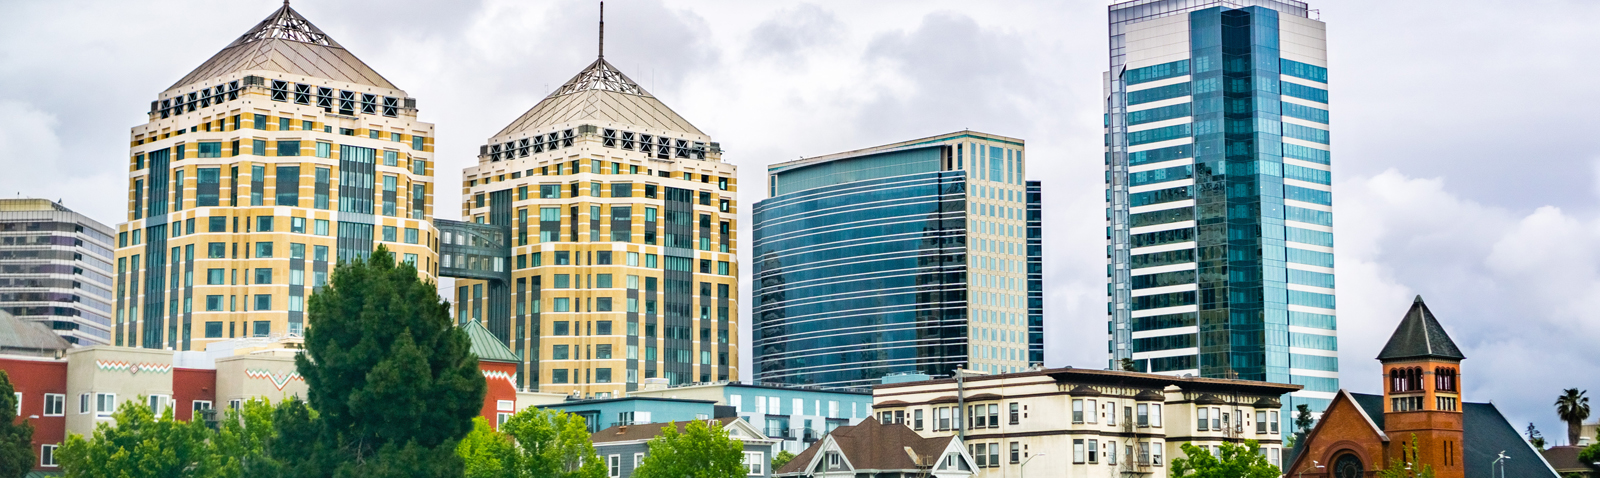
column 874, row 447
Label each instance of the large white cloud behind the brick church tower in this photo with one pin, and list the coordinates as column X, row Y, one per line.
column 1513, row 289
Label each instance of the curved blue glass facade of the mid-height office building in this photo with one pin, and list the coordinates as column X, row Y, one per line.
column 860, row 281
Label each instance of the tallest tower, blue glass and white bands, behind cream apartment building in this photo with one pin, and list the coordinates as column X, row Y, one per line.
column 1220, row 226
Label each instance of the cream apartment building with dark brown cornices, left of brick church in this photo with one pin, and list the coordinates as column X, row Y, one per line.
column 1084, row 423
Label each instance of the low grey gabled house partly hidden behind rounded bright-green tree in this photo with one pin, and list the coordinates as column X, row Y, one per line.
column 623, row 447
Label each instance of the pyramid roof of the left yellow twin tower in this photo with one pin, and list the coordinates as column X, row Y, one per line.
column 287, row 42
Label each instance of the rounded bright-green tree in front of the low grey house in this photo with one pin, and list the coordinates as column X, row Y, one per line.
column 700, row 452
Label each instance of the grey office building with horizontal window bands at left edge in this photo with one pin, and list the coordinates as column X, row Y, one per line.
column 55, row 268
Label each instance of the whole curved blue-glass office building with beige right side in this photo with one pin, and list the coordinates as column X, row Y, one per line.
column 902, row 258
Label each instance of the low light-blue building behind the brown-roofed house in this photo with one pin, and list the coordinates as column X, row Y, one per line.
column 794, row 416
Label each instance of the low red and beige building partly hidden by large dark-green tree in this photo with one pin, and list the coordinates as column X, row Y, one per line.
column 65, row 389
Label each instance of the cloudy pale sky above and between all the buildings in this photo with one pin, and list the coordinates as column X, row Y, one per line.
column 1466, row 167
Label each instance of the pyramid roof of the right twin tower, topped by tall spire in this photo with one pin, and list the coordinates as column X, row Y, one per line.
column 601, row 94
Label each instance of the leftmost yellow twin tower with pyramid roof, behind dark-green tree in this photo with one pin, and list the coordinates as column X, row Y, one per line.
column 255, row 175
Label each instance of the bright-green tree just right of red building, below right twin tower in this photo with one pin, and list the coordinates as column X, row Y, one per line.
column 553, row 444
